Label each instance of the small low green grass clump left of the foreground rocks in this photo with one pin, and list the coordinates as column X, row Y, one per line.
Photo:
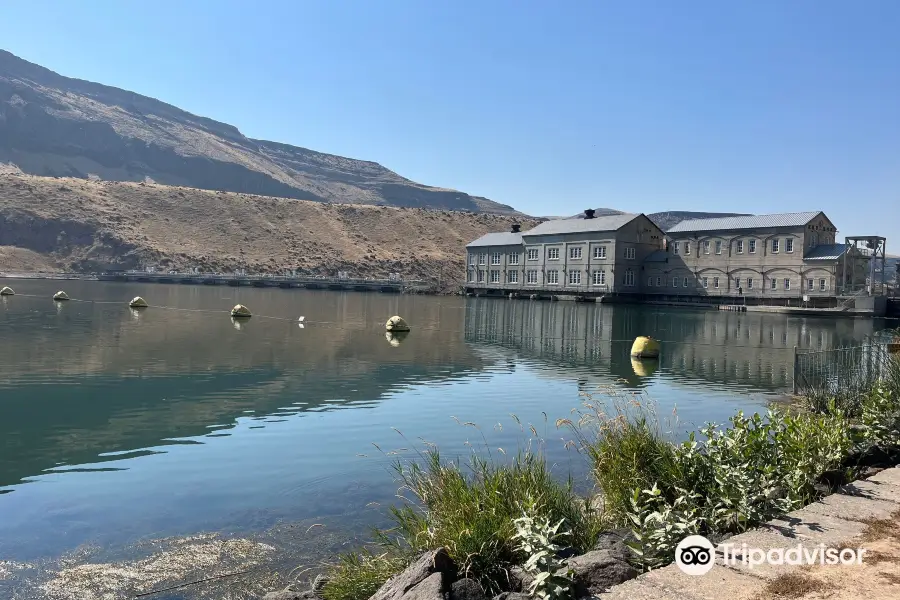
column 357, row 576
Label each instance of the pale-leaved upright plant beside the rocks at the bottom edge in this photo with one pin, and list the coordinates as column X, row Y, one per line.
column 552, row 580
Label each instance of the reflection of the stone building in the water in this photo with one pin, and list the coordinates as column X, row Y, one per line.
column 727, row 350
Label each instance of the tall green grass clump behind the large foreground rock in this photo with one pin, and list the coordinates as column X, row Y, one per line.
column 472, row 512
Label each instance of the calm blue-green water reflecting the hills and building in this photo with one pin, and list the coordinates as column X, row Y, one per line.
column 118, row 426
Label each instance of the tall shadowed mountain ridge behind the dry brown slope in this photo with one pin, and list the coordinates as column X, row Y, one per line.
column 53, row 125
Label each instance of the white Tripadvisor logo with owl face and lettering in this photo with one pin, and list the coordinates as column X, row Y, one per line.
column 695, row 555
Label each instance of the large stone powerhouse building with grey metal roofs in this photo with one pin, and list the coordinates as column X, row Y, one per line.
column 765, row 259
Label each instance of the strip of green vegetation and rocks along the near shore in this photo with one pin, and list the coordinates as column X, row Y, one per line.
column 507, row 527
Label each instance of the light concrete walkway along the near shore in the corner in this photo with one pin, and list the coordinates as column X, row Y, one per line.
column 835, row 521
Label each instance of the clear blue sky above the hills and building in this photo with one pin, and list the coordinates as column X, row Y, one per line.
column 550, row 106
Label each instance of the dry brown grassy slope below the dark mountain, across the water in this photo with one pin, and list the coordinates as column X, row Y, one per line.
column 86, row 225
